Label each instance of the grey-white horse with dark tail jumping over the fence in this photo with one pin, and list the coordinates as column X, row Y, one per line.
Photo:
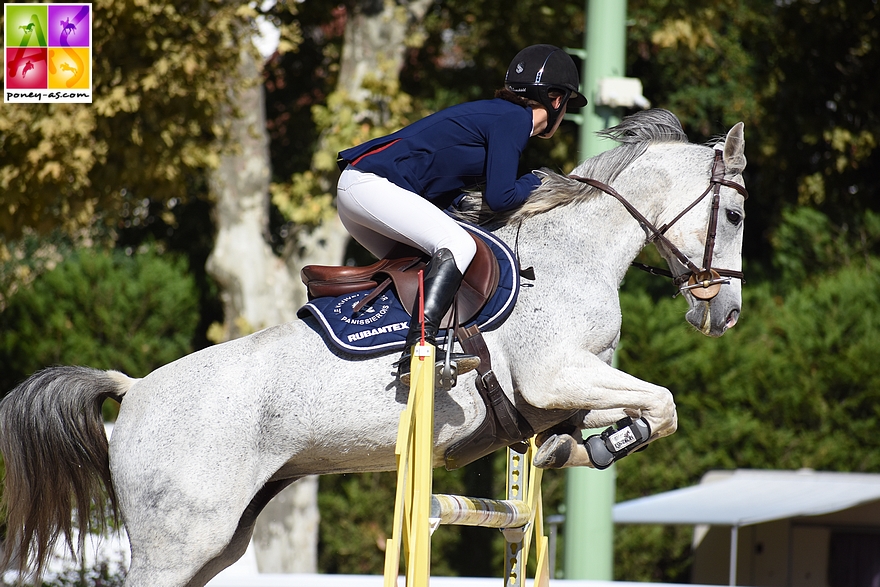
column 202, row 444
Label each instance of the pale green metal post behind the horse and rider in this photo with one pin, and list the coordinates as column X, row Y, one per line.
column 589, row 494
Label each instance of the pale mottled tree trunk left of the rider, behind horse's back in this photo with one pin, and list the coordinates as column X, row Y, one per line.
column 258, row 291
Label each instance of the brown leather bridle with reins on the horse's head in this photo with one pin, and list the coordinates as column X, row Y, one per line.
column 703, row 282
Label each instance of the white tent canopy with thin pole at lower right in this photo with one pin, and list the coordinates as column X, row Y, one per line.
column 746, row 497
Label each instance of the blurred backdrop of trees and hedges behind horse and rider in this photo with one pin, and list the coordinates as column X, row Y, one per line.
column 175, row 211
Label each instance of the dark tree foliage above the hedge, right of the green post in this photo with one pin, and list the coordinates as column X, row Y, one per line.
column 799, row 74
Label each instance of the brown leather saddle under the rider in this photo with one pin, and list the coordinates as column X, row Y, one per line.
column 401, row 270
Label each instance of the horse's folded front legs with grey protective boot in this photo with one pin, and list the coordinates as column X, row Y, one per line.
column 636, row 411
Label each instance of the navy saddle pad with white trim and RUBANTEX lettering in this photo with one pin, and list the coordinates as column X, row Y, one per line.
column 381, row 326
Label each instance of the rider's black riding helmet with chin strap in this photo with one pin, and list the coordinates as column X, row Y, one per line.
column 540, row 68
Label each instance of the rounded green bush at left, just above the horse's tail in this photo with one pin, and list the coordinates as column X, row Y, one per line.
column 102, row 309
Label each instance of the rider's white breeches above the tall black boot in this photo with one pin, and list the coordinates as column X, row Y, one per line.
column 379, row 214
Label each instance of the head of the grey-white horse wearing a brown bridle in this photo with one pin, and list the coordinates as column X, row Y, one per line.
column 707, row 255
